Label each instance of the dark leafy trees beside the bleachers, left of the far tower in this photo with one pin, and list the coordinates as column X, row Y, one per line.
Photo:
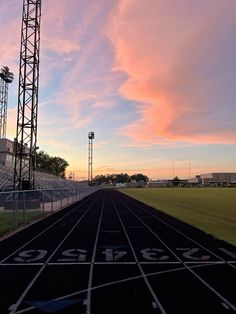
column 53, row 165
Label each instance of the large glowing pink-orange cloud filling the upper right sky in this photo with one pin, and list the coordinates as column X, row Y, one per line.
column 172, row 54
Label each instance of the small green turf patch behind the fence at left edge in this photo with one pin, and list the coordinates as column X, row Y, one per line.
column 8, row 222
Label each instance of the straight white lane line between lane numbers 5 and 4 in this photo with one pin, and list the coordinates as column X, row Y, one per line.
column 90, row 281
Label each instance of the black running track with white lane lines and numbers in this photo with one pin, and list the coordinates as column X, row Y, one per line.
column 112, row 254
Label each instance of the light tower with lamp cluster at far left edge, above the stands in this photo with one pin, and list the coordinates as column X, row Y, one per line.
column 6, row 77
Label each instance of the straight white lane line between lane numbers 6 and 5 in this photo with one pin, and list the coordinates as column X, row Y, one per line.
column 27, row 289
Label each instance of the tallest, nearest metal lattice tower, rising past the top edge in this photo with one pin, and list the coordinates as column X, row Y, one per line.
column 26, row 134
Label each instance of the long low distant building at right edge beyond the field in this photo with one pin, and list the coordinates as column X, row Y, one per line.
column 218, row 178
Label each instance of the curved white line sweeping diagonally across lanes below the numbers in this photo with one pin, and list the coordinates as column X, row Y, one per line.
column 111, row 284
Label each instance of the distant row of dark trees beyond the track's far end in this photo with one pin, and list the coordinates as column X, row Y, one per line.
column 119, row 178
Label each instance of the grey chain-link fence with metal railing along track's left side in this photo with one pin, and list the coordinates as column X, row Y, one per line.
column 20, row 208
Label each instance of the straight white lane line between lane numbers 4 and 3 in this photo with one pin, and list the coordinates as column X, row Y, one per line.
column 161, row 308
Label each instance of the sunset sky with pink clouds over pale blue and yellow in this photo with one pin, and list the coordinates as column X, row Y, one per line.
column 154, row 79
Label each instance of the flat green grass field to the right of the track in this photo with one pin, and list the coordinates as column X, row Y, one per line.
column 212, row 210
